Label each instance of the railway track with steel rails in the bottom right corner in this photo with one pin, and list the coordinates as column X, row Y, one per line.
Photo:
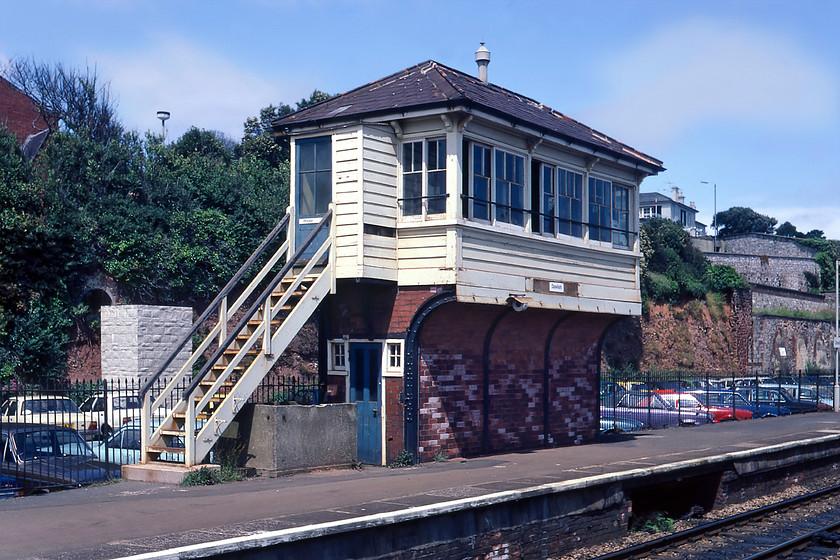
column 807, row 526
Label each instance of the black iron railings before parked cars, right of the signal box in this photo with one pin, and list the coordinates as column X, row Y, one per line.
column 646, row 397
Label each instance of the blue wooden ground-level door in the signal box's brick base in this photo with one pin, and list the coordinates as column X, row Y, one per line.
column 365, row 384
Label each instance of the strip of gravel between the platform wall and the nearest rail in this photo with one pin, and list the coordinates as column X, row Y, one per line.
column 797, row 489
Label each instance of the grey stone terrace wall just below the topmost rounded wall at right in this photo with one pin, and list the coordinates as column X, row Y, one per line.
column 779, row 272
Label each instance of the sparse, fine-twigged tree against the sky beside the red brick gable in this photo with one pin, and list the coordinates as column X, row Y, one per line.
column 70, row 99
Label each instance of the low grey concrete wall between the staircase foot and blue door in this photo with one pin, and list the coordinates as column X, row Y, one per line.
column 288, row 438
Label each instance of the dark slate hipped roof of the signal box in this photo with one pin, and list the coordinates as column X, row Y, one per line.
column 431, row 85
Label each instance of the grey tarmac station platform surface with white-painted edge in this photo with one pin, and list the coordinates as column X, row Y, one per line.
column 139, row 518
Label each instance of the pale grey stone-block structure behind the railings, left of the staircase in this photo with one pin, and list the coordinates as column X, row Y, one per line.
column 136, row 339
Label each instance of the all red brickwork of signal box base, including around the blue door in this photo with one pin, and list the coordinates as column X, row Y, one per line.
column 451, row 370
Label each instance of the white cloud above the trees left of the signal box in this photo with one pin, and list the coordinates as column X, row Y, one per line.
column 198, row 87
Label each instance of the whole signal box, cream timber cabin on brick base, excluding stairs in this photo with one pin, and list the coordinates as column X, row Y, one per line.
column 483, row 244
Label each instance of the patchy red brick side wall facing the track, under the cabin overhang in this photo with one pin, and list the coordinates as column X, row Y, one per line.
column 451, row 408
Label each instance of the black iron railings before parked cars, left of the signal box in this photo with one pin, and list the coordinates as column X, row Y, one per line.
column 61, row 434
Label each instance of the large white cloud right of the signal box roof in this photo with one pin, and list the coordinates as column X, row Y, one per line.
column 706, row 71
